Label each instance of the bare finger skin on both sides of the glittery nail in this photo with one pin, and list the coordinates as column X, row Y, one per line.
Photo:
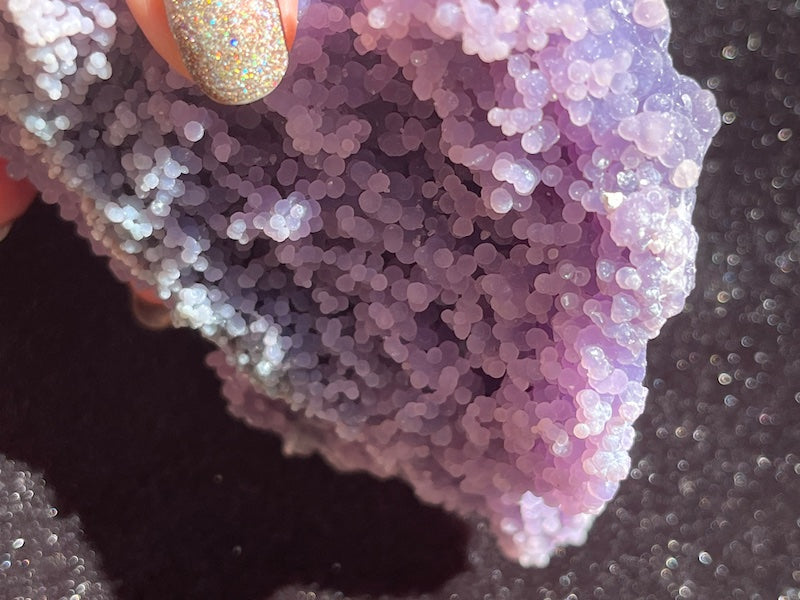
column 152, row 19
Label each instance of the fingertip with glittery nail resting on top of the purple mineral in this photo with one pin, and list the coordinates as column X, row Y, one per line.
column 234, row 61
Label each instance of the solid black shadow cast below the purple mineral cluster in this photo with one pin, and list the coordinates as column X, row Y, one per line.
column 130, row 431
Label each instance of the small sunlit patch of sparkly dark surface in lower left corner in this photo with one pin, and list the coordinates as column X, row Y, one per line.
column 42, row 555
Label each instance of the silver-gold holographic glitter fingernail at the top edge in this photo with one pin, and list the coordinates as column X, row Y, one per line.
column 234, row 49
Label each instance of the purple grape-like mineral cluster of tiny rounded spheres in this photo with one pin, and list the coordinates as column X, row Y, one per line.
column 437, row 251
